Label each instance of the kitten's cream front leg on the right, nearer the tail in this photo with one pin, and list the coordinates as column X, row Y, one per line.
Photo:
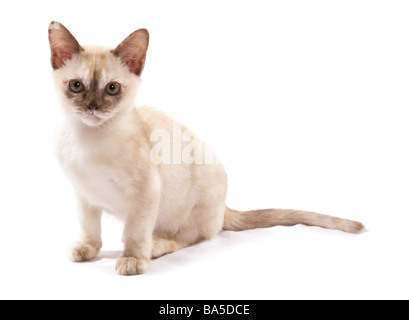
column 142, row 209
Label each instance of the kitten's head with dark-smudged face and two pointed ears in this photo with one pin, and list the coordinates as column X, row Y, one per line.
column 96, row 83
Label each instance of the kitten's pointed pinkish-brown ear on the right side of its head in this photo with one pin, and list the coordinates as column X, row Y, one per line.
column 132, row 51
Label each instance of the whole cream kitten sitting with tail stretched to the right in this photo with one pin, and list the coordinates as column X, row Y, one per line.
column 169, row 198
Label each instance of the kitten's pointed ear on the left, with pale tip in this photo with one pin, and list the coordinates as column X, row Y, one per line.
column 62, row 43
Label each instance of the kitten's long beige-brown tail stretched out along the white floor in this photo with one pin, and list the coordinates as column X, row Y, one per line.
column 243, row 220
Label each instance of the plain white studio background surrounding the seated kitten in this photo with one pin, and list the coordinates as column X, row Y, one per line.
column 305, row 102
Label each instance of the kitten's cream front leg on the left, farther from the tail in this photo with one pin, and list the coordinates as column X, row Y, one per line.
column 89, row 243
